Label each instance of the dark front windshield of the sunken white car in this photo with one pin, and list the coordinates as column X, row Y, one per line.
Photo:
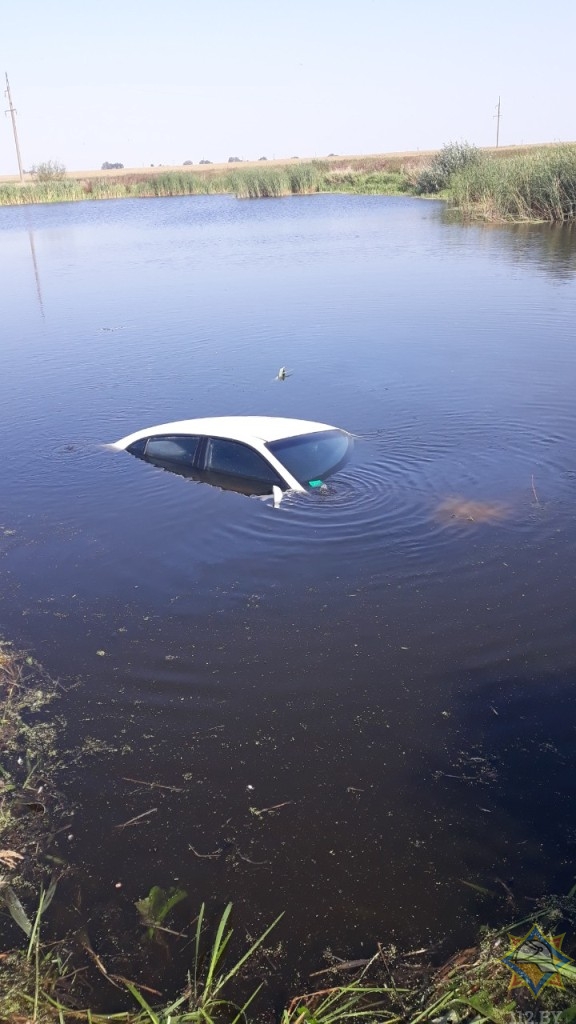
column 311, row 458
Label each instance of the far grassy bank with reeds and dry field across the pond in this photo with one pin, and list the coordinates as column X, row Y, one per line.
column 532, row 184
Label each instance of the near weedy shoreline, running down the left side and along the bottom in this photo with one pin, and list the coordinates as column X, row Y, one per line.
column 61, row 980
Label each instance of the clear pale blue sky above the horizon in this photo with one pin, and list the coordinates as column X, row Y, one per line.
column 163, row 81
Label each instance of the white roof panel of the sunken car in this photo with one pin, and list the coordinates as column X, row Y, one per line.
column 242, row 429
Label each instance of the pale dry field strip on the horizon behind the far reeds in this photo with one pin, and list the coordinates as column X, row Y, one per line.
column 367, row 162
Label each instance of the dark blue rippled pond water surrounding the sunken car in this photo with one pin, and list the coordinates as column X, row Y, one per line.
column 353, row 705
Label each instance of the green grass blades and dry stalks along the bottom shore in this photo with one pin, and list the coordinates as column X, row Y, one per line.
column 38, row 986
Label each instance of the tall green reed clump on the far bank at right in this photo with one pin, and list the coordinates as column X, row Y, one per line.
column 540, row 187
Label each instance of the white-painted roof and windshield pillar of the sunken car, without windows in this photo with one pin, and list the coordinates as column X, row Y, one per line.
column 255, row 432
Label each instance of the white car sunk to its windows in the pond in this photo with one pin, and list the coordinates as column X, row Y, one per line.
column 255, row 455
